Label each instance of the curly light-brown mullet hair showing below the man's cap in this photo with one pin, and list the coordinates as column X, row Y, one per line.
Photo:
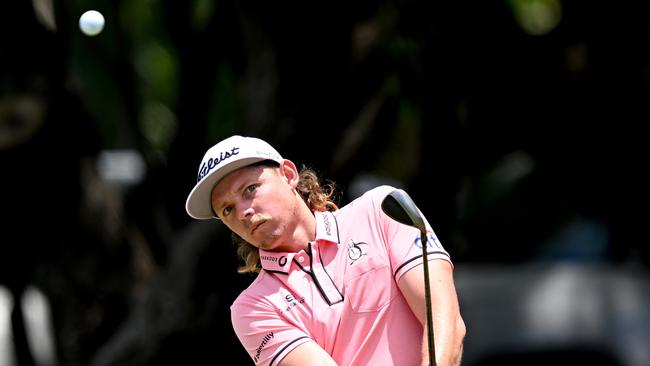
column 317, row 196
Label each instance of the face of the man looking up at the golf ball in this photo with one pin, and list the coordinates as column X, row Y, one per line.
column 259, row 204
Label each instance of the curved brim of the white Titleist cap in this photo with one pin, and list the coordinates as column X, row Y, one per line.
column 199, row 201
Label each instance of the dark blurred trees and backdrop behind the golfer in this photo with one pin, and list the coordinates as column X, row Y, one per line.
column 518, row 127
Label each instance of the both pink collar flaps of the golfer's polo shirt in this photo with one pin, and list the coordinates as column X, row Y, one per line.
column 326, row 229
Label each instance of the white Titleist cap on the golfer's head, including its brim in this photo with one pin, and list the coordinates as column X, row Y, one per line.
column 221, row 159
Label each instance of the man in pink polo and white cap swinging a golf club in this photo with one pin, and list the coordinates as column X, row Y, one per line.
column 334, row 286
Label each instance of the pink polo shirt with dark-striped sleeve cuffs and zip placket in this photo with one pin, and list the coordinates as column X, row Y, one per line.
column 341, row 293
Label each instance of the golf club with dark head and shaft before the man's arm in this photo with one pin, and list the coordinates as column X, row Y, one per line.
column 399, row 206
